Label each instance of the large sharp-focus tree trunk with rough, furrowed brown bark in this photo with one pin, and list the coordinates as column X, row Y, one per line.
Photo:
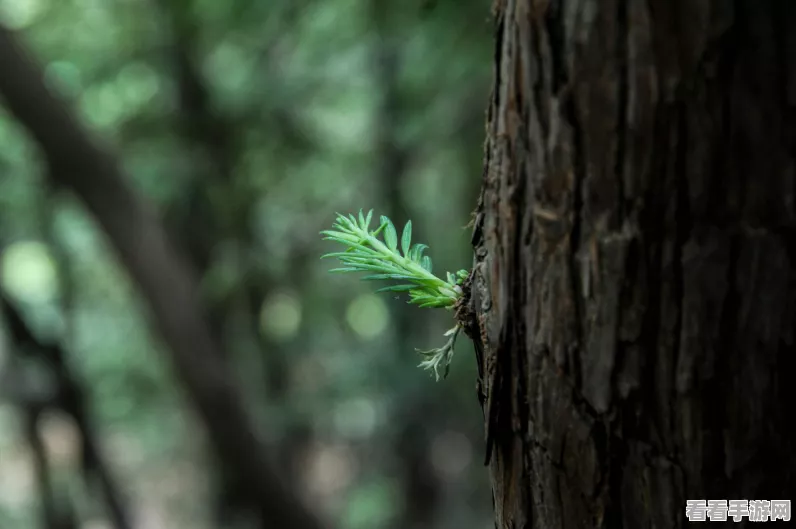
column 635, row 241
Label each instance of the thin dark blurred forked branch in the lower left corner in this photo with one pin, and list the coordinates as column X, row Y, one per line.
column 70, row 397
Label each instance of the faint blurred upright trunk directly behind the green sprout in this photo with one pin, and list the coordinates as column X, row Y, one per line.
column 411, row 438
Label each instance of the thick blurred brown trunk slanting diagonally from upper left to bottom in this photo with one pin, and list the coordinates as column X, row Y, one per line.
column 78, row 163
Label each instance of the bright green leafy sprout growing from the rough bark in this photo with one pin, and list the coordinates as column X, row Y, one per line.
column 366, row 253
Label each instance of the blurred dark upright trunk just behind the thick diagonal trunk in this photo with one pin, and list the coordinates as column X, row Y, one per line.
column 216, row 212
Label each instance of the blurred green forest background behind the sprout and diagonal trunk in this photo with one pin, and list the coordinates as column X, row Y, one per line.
column 247, row 124
